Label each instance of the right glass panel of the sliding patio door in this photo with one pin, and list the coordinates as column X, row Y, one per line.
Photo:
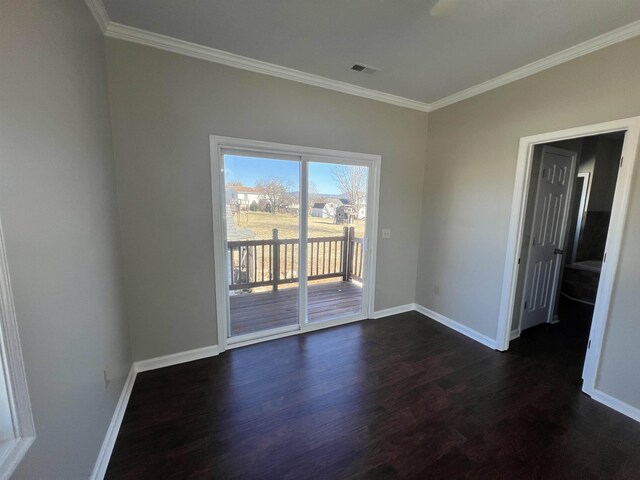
column 336, row 226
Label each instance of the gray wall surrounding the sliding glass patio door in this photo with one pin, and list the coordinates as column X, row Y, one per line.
column 164, row 107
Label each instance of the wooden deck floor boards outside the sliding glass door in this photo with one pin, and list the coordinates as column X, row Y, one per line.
column 254, row 312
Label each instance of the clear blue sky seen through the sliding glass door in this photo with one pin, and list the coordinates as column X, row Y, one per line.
column 249, row 171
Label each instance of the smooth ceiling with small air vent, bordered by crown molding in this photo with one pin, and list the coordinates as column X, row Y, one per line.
column 420, row 57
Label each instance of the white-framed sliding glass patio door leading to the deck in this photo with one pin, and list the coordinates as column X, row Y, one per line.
column 294, row 237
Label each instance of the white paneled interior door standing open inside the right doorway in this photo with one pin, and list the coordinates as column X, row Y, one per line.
column 555, row 181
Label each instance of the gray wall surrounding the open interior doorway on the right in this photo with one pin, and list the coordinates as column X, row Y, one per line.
column 472, row 148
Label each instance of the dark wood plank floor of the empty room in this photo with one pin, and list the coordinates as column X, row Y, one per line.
column 400, row 397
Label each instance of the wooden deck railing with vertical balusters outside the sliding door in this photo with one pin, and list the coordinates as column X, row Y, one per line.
column 274, row 262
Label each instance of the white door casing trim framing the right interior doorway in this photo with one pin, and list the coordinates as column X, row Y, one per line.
column 614, row 236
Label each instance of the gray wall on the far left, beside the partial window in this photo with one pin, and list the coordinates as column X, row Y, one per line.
column 57, row 201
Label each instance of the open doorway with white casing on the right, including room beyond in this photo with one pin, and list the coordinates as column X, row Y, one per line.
column 566, row 232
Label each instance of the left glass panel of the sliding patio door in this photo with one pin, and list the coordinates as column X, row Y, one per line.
column 262, row 202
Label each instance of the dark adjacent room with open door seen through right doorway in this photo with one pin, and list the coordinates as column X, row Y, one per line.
column 569, row 205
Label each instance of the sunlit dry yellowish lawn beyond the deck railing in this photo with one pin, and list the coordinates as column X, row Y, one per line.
column 262, row 224
